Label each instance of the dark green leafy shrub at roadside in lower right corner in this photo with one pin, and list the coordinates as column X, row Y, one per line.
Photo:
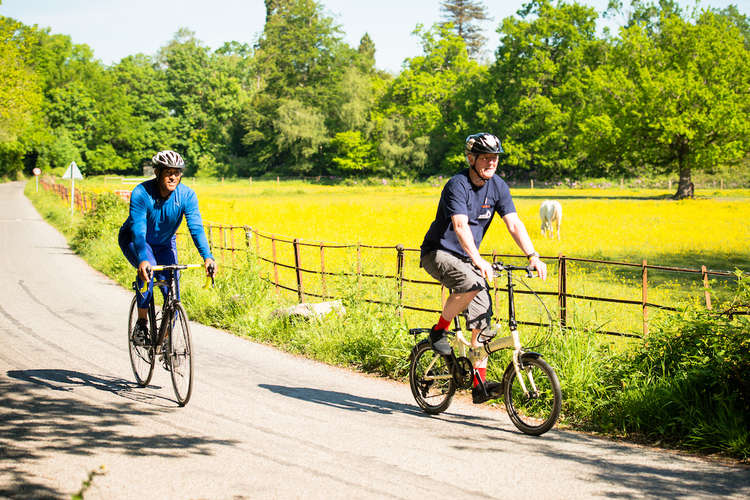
column 687, row 382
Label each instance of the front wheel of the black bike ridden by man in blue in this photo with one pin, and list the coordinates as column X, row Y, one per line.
column 180, row 356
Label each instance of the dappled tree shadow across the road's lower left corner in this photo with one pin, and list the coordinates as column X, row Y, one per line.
column 42, row 412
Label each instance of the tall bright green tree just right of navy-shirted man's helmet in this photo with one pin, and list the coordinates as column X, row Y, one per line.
column 538, row 86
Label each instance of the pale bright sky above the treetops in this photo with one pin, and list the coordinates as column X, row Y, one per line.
column 118, row 28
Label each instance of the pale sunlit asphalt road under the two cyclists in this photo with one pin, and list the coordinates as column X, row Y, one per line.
column 261, row 423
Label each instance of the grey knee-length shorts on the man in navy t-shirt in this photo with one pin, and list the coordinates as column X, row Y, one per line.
column 460, row 276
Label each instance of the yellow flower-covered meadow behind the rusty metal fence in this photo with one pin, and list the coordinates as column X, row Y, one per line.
column 609, row 224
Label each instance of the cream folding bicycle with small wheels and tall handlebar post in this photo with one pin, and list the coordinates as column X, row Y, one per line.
column 530, row 388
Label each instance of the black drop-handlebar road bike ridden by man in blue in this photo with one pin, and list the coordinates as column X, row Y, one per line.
column 168, row 334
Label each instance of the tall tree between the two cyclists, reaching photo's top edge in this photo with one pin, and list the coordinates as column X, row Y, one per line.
column 299, row 64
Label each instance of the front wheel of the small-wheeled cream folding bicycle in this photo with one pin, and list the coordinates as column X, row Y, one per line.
column 536, row 410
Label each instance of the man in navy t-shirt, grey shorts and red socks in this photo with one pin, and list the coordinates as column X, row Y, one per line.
column 450, row 250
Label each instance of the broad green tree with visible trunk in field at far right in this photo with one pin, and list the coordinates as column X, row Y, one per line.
column 676, row 93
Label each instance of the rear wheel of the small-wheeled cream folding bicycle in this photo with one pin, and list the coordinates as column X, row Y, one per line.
column 432, row 395
